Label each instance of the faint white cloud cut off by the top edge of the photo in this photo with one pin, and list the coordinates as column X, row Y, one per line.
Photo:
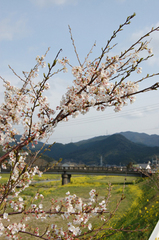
column 46, row 3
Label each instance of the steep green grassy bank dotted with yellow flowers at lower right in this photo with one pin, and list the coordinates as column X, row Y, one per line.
column 143, row 212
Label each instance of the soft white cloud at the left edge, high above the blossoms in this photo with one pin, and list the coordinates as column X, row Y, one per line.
column 11, row 29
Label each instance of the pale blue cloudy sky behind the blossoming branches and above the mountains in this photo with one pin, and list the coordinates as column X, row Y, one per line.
column 28, row 28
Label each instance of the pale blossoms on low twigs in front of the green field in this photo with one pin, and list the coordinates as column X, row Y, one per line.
column 72, row 208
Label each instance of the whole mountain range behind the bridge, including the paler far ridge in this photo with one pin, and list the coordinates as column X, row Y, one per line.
column 117, row 149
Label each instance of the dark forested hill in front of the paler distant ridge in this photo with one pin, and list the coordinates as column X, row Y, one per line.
column 114, row 149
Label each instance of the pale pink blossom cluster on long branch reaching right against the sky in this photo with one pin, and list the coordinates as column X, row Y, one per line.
column 94, row 86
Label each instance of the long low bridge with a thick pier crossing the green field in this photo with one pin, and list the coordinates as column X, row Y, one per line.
column 66, row 172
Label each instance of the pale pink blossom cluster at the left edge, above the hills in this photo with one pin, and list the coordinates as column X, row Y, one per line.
column 20, row 107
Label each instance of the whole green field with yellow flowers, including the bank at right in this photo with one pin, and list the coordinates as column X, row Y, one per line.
column 138, row 209
